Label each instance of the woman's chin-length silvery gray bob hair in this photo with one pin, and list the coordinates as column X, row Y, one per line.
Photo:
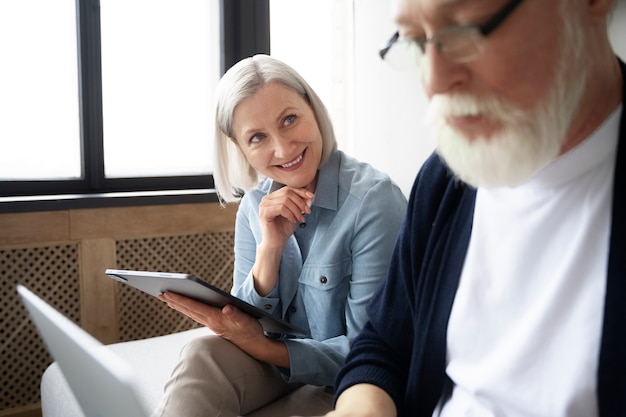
column 233, row 174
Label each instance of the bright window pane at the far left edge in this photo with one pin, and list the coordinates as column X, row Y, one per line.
column 39, row 118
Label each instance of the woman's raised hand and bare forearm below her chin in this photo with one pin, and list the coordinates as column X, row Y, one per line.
column 279, row 213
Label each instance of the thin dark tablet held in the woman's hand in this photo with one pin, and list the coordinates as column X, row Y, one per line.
column 156, row 283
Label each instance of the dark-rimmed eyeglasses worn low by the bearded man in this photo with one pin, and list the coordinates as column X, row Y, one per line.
column 458, row 44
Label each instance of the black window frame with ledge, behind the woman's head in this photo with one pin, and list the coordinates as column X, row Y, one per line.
column 244, row 31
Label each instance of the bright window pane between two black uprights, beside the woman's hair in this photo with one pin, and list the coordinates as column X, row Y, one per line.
column 160, row 64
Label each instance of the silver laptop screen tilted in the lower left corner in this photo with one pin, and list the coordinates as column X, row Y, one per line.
column 102, row 382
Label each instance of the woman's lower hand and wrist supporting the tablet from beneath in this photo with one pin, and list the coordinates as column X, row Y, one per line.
column 237, row 327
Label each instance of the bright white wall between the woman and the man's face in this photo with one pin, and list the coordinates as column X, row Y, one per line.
column 389, row 105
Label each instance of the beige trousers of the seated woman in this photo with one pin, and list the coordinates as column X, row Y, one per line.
column 214, row 378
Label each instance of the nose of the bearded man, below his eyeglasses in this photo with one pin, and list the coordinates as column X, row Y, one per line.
column 439, row 74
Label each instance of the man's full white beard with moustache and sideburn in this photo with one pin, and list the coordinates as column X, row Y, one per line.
column 527, row 140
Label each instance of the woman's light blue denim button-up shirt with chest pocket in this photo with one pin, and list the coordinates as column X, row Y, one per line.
column 330, row 268
